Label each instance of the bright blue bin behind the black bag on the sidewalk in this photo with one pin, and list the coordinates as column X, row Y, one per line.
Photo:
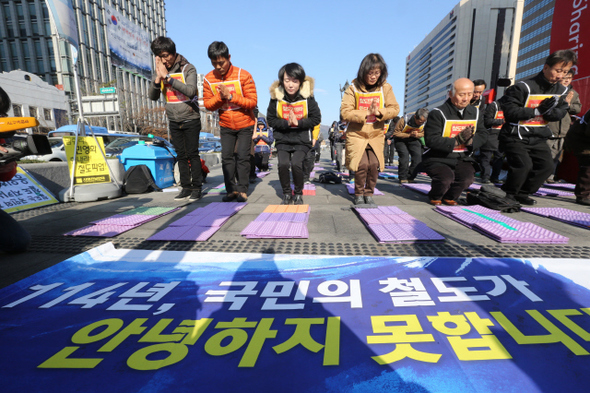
column 158, row 159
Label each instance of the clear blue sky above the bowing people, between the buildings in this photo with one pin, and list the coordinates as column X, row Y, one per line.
column 329, row 38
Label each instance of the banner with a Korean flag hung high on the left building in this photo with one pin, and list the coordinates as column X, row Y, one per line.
column 129, row 44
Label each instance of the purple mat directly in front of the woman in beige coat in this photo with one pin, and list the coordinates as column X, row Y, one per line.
column 391, row 224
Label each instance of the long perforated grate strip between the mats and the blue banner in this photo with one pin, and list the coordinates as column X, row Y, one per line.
column 75, row 245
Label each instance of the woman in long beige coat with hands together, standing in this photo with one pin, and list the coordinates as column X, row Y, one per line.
column 366, row 105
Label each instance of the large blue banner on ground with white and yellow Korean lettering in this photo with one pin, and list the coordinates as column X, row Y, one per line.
column 221, row 322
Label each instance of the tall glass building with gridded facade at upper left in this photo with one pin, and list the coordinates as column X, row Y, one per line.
column 29, row 42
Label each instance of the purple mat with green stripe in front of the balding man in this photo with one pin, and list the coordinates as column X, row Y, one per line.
column 499, row 227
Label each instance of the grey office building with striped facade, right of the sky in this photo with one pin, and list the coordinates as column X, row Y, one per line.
column 478, row 39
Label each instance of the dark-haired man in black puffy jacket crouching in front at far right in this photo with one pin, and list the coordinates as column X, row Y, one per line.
column 528, row 107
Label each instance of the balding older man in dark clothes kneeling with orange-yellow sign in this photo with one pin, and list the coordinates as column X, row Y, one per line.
column 453, row 131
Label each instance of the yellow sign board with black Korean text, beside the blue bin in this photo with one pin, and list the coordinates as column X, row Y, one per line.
column 91, row 167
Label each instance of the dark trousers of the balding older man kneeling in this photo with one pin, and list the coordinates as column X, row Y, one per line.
column 448, row 183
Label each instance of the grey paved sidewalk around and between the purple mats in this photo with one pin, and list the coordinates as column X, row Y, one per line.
column 334, row 229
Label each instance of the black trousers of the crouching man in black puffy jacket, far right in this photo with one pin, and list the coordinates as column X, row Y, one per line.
column 529, row 165
